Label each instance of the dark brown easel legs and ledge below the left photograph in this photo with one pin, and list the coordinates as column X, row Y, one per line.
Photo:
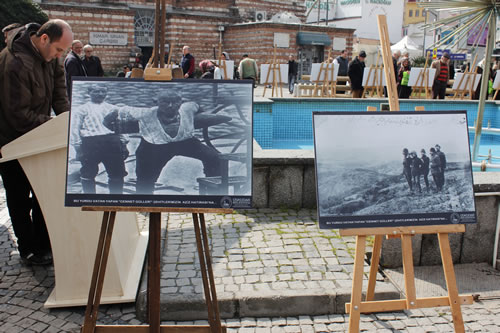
column 154, row 272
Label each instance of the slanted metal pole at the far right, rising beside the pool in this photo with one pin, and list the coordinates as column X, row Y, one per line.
column 490, row 44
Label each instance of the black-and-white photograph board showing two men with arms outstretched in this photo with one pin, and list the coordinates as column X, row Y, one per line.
column 182, row 143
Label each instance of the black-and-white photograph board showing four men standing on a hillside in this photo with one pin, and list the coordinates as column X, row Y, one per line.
column 393, row 169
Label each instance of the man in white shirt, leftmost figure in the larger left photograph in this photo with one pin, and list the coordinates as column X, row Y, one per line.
column 94, row 143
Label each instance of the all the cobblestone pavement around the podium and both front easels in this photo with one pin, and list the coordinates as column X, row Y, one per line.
column 24, row 289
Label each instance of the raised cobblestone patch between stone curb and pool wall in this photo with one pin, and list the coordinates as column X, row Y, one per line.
column 258, row 250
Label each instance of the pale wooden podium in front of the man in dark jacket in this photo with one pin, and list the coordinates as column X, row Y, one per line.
column 74, row 234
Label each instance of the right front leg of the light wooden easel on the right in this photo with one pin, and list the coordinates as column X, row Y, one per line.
column 451, row 282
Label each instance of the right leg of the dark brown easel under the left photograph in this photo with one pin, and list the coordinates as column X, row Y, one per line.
column 207, row 273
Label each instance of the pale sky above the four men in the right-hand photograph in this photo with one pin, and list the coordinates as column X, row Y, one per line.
column 374, row 138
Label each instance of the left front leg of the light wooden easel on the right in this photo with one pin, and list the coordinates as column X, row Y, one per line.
column 357, row 284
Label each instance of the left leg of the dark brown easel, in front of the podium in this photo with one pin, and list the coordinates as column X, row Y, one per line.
column 97, row 282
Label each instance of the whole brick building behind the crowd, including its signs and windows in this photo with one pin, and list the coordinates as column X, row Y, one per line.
column 118, row 29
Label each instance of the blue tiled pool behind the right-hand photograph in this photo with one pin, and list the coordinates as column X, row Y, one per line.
column 287, row 123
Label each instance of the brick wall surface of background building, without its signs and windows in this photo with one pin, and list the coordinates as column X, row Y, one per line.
column 189, row 22
